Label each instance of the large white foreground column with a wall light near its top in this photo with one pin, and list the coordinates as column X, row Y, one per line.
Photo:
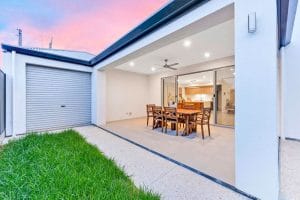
column 256, row 99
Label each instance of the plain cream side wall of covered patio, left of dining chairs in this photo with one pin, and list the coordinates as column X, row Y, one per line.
column 127, row 95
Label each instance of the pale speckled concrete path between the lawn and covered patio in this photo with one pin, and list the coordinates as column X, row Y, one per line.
column 155, row 173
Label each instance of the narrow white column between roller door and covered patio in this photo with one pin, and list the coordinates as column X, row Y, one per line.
column 98, row 97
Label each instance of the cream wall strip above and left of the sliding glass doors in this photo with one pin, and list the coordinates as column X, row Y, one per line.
column 155, row 80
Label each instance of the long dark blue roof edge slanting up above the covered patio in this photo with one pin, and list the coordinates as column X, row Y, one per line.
column 159, row 19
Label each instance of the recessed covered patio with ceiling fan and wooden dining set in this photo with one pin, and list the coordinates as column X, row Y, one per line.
column 186, row 73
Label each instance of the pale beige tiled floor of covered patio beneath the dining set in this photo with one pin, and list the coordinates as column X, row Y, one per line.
column 214, row 155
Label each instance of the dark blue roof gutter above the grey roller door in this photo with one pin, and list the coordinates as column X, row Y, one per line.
column 45, row 55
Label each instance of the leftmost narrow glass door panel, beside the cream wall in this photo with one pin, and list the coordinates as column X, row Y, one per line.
column 169, row 91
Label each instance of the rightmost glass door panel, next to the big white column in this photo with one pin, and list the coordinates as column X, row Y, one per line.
column 225, row 96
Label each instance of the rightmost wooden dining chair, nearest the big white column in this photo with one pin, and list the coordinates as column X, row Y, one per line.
column 202, row 119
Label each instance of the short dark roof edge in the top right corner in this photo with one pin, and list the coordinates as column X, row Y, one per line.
column 286, row 17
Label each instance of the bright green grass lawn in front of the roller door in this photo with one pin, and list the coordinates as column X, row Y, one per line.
column 62, row 166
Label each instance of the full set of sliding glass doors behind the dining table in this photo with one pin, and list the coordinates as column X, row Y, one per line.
column 213, row 88
